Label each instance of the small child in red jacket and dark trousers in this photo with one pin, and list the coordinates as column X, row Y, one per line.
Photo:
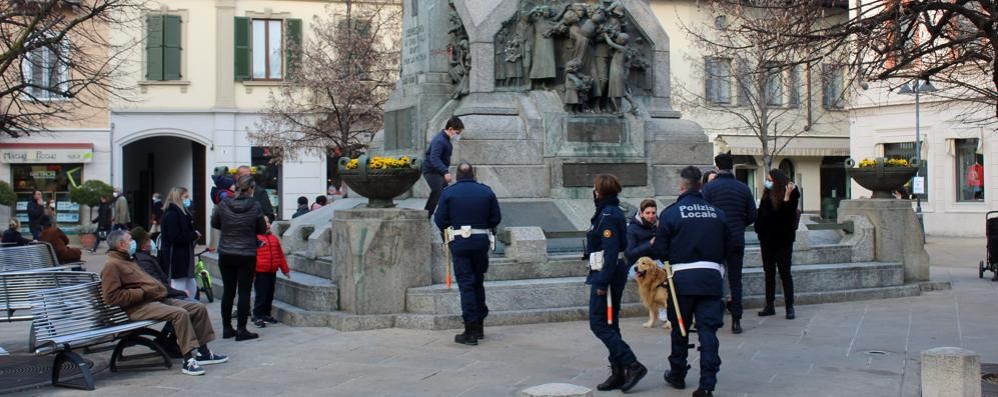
column 269, row 259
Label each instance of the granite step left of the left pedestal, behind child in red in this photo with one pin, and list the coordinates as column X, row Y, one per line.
column 303, row 290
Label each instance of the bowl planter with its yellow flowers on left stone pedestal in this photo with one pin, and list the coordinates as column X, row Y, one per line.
column 380, row 179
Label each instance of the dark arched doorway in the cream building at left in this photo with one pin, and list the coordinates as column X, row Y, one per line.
column 158, row 164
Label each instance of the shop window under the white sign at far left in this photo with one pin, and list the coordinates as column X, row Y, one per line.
column 54, row 181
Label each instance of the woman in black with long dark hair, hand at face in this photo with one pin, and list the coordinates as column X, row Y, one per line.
column 776, row 226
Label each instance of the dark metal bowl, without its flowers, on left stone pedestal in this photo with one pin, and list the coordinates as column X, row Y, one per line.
column 380, row 186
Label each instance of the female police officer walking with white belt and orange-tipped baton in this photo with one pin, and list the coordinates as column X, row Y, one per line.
column 607, row 240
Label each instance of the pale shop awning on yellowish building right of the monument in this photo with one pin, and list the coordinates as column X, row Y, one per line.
column 805, row 146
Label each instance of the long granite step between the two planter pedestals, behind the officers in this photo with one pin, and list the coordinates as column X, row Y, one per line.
column 547, row 293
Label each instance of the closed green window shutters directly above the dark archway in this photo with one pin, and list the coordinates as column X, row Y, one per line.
column 163, row 47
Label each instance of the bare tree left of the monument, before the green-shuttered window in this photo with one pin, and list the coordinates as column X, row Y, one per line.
column 335, row 98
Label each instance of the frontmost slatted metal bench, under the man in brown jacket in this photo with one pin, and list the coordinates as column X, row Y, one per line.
column 75, row 317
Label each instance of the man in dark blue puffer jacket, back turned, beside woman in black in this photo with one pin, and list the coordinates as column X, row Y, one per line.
column 735, row 199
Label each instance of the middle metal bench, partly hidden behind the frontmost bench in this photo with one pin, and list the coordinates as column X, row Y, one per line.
column 16, row 289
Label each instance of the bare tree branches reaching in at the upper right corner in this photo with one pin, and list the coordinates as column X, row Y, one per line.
column 951, row 42
